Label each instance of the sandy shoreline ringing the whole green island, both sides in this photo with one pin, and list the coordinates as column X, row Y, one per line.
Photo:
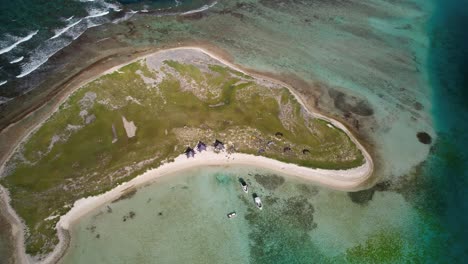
column 352, row 179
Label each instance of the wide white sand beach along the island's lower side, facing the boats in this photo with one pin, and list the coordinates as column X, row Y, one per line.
column 336, row 179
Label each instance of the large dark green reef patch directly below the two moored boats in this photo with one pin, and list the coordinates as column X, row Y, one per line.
column 279, row 233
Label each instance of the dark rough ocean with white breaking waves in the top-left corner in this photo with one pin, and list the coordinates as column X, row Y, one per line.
column 33, row 31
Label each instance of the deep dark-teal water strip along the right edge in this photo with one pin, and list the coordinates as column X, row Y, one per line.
column 446, row 171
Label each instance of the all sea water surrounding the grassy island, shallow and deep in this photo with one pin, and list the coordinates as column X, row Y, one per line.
column 405, row 59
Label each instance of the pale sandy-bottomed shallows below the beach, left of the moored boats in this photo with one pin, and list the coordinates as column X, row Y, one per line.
column 179, row 219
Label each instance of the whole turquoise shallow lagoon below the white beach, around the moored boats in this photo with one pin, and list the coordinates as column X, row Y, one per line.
column 182, row 218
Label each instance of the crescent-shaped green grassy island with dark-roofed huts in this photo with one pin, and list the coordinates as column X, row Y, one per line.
column 155, row 113
